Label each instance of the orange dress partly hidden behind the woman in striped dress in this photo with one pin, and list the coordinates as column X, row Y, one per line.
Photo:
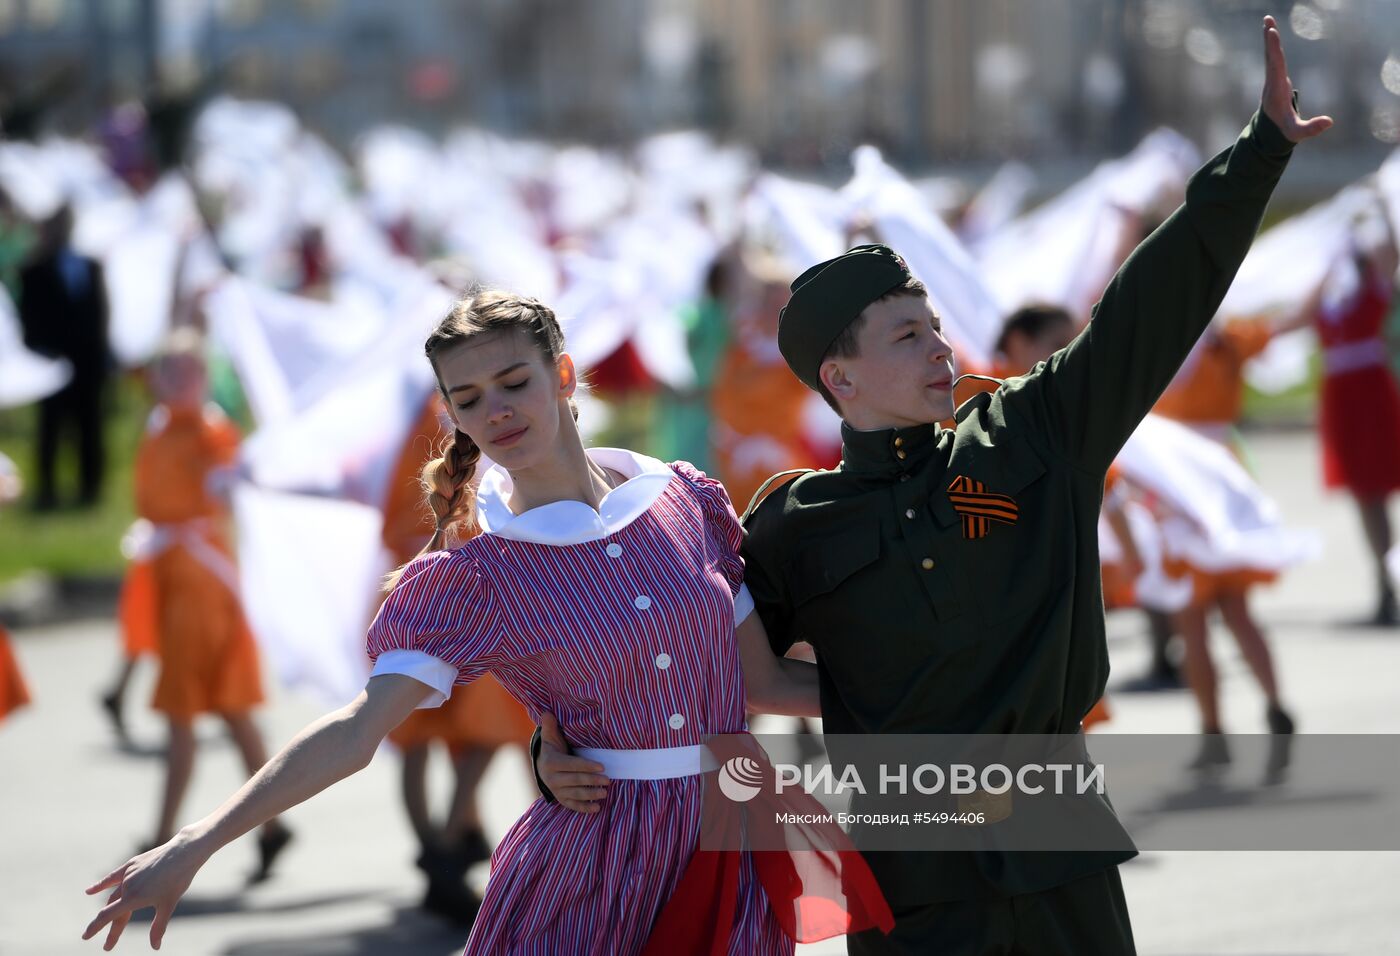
column 477, row 715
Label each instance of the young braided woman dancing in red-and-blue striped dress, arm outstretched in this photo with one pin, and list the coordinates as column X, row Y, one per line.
column 604, row 589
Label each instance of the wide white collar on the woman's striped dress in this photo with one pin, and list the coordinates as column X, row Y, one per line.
column 575, row 523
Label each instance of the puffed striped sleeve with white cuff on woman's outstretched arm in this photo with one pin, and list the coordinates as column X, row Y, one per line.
column 440, row 625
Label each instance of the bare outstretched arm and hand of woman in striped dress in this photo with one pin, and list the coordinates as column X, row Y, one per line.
column 325, row 752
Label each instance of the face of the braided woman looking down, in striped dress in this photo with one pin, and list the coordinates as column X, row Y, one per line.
column 506, row 395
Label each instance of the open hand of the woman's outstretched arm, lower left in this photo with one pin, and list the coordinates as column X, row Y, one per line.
column 157, row 878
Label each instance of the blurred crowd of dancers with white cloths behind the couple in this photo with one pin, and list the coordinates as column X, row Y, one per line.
column 253, row 276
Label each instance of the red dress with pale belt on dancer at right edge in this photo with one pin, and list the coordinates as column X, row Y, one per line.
column 1360, row 416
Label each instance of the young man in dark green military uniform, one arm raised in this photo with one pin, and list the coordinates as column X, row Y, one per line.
column 950, row 579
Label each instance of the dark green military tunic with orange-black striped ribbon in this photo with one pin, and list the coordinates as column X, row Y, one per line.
column 950, row 579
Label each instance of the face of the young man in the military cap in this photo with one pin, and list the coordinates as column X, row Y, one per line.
column 904, row 372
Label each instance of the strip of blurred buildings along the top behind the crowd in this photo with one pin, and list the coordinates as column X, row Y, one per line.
column 803, row 80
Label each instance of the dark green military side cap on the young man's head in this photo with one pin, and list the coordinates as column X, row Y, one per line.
column 828, row 297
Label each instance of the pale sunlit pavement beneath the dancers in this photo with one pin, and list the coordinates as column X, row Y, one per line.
column 72, row 804
